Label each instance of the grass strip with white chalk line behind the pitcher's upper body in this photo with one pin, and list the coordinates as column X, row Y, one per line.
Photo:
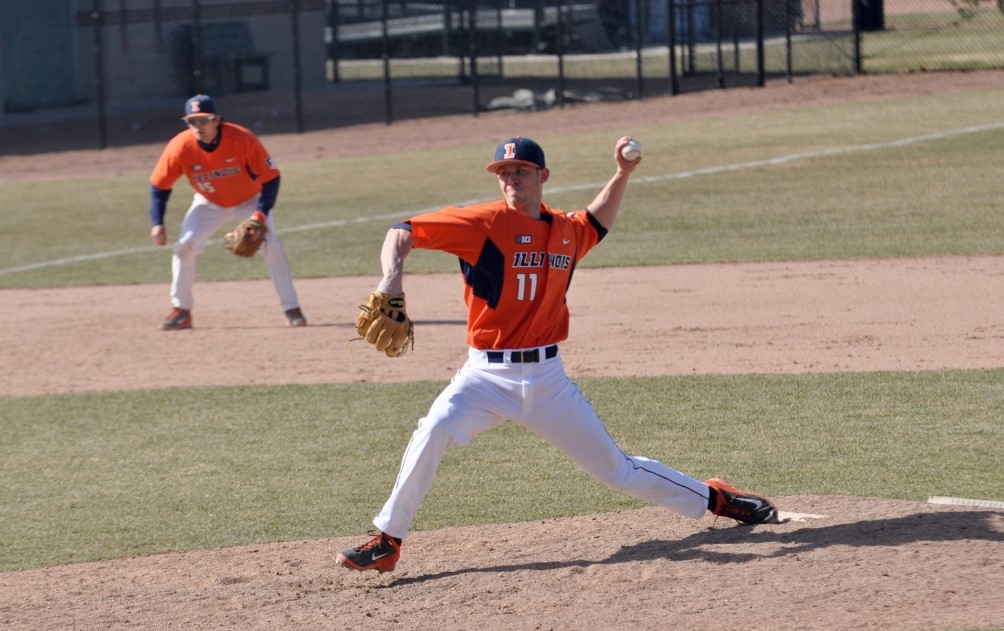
column 871, row 197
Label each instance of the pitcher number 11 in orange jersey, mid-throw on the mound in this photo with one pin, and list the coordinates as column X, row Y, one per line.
column 518, row 258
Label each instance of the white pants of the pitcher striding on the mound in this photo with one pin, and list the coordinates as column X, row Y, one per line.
column 542, row 398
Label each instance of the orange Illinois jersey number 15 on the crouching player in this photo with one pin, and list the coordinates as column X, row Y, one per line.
column 228, row 176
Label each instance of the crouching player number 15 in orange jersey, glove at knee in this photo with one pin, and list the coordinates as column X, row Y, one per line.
column 234, row 179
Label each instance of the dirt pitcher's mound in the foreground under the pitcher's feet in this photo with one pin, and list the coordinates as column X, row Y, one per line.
column 868, row 565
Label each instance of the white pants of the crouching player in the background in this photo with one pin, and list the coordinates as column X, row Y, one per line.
column 201, row 222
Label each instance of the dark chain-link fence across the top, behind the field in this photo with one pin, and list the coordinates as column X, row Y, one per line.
column 85, row 74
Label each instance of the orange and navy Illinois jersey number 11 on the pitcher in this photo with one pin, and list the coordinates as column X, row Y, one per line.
column 517, row 270
